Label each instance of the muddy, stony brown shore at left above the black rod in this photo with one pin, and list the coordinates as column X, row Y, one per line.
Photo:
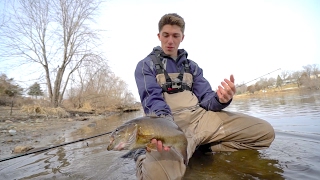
column 22, row 132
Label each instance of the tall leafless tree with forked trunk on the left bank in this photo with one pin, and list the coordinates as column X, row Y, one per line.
column 54, row 34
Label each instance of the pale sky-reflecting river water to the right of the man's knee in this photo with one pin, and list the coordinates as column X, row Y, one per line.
column 295, row 117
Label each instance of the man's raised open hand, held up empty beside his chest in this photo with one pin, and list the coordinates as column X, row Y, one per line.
column 227, row 90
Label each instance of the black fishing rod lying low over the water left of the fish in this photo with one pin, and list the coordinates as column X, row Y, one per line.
column 59, row 145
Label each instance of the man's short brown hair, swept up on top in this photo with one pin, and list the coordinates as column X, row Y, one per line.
column 172, row 19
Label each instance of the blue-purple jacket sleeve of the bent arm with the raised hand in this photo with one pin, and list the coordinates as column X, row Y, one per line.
column 208, row 99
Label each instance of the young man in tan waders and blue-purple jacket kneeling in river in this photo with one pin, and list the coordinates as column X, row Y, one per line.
column 171, row 85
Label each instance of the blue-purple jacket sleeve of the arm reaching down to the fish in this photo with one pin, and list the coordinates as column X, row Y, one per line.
column 149, row 90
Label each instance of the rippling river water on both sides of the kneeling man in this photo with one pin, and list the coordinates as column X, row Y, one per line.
column 294, row 154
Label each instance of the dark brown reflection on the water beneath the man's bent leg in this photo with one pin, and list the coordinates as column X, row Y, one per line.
column 248, row 164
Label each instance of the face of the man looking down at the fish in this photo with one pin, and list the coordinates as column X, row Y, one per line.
column 170, row 37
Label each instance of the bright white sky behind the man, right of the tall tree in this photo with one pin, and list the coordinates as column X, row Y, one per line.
column 247, row 38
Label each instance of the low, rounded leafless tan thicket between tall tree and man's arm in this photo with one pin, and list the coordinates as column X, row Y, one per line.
column 99, row 88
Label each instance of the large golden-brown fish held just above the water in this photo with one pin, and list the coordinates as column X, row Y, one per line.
column 138, row 133
